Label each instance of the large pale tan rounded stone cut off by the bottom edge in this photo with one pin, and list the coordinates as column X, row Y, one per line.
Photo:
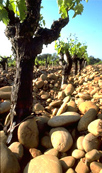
column 44, row 163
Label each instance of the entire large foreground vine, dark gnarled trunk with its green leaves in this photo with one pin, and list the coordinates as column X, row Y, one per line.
column 27, row 36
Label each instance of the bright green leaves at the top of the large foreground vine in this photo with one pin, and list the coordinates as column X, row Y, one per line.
column 19, row 9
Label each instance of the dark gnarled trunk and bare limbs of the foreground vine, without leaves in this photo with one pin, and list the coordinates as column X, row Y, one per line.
column 27, row 40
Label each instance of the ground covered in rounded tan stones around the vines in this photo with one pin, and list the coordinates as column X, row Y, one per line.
column 65, row 135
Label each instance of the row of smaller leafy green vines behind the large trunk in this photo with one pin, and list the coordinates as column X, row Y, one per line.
column 75, row 52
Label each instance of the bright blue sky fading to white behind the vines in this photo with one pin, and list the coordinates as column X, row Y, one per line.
column 87, row 27
